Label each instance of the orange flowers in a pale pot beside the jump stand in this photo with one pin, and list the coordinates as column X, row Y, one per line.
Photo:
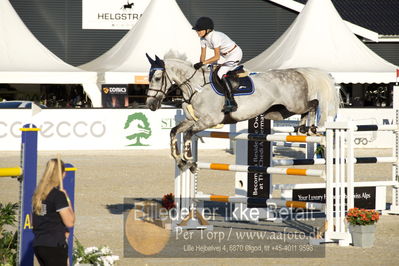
column 362, row 226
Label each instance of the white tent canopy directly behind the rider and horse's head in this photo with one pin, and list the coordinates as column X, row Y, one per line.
column 163, row 27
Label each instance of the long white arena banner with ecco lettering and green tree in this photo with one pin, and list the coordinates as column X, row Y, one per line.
column 96, row 129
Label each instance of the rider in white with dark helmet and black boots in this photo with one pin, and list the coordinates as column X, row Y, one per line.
column 222, row 46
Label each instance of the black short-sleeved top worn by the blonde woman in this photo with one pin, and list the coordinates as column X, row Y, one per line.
column 48, row 228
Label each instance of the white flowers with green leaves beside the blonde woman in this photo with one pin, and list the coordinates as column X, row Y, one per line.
column 93, row 255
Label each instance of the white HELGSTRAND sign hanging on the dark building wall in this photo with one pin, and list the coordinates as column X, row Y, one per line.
column 112, row 14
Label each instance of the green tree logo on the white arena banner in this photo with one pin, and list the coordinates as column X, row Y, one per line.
column 138, row 127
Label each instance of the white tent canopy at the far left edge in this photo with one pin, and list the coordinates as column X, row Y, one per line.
column 23, row 59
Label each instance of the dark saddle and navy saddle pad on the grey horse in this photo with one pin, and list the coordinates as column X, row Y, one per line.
column 240, row 81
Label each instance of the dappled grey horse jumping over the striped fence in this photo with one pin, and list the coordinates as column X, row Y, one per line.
column 278, row 95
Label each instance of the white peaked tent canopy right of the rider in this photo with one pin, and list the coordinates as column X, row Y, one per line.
column 320, row 38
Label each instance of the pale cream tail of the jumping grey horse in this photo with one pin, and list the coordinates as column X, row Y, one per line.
column 321, row 86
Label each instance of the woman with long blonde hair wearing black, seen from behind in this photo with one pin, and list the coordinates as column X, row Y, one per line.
column 52, row 216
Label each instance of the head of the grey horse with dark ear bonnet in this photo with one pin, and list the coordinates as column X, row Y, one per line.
column 159, row 83
